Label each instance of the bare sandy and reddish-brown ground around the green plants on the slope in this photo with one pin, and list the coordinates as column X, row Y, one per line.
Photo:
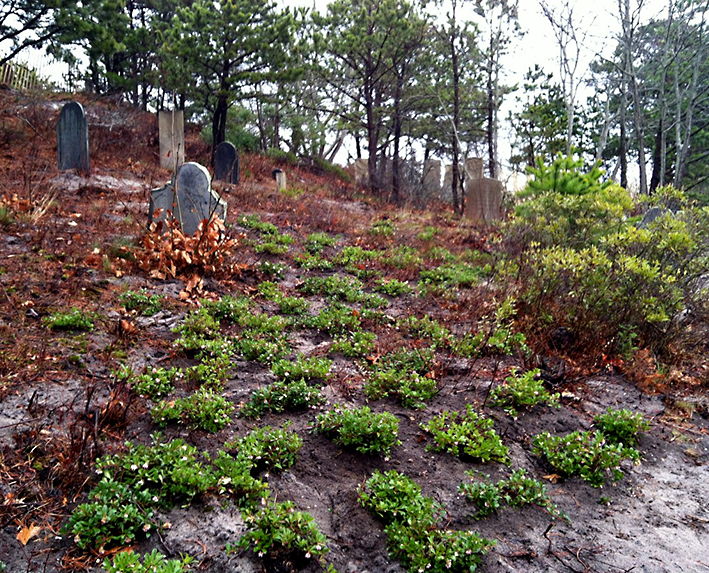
column 60, row 406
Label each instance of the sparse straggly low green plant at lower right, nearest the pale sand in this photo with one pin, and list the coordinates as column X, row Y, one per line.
column 515, row 491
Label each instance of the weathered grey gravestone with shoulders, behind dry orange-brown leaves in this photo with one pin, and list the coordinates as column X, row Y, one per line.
column 190, row 200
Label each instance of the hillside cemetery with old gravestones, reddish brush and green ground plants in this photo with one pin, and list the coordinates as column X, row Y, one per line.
column 199, row 358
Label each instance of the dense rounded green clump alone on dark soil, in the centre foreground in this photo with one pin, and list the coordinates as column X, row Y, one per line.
column 360, row 428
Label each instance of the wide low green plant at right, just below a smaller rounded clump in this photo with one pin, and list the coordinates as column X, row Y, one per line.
column 584, row 454
